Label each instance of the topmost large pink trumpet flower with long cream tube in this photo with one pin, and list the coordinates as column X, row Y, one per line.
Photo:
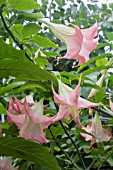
column 80, row 43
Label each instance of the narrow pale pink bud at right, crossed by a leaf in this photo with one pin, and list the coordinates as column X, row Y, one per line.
column 99, row 83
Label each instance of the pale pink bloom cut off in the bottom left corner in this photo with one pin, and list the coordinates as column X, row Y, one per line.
column 6, row 164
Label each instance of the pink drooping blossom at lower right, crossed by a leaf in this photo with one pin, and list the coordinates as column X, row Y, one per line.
column 96, row 129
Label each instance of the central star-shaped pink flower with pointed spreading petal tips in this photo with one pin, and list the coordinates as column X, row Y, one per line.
column 70, row 102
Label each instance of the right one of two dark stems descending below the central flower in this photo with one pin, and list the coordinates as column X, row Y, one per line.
column 78, row 152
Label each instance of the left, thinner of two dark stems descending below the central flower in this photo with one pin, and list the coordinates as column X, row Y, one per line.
column 74, row 164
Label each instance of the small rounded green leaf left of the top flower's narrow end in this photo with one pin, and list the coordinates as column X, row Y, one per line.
column 30, row 29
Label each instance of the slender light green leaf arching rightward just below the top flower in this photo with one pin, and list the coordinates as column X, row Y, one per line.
column 108, row 55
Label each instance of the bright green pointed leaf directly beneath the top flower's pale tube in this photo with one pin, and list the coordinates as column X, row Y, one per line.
column 44, row 41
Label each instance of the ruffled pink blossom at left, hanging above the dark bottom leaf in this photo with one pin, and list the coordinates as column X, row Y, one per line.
column 29, row 118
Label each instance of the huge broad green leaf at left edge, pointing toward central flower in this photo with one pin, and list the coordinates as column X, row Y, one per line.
column 14, row 63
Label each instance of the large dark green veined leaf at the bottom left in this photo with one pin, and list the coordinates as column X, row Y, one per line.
column 27, row 150
